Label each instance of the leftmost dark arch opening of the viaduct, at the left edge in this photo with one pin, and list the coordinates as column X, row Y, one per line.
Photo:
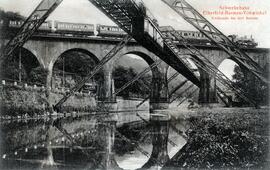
column 23, row 67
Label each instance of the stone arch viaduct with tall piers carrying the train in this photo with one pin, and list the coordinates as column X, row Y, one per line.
column 47, row 49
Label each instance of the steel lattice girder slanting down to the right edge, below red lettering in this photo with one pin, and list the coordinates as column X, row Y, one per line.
column 192, row 16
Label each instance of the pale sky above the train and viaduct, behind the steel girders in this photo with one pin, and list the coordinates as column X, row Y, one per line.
column 82, row 11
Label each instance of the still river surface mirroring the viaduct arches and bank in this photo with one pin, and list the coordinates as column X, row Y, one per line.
column 86, row 143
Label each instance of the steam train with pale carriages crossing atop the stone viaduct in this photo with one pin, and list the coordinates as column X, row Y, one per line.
column 85, row 30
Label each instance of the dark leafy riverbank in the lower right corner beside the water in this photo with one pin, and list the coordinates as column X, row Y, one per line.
column 225, row 138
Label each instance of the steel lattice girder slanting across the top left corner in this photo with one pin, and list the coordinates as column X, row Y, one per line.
column 37, row 17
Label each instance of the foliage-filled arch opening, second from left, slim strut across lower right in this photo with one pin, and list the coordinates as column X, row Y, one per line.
column 72, row 66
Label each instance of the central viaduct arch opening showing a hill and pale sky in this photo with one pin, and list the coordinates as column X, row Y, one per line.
column 126, row 68
